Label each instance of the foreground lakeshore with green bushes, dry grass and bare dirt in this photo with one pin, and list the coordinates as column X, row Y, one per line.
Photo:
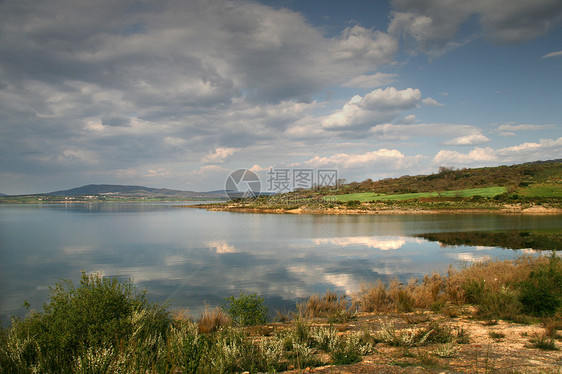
column 438, row 322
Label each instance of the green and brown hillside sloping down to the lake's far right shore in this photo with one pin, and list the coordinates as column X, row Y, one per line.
column 525, row 188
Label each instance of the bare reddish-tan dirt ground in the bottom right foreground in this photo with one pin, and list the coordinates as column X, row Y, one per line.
column 486, row 352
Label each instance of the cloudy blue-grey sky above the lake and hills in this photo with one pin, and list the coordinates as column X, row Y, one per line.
column 178, row 94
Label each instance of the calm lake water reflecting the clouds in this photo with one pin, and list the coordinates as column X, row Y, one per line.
column 191, row 257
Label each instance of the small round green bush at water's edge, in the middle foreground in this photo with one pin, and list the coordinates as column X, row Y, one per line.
column 246, row 309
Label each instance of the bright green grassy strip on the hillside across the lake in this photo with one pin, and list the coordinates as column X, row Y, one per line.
column 370, row 196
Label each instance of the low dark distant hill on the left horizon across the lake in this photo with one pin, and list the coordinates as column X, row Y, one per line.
column 128, row 191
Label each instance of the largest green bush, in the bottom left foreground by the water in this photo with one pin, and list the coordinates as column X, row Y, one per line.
column 91, row 320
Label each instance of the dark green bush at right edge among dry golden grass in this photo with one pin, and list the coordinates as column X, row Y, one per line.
column 541, row 293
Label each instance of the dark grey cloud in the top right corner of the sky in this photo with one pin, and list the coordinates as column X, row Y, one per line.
column 433, row 26
